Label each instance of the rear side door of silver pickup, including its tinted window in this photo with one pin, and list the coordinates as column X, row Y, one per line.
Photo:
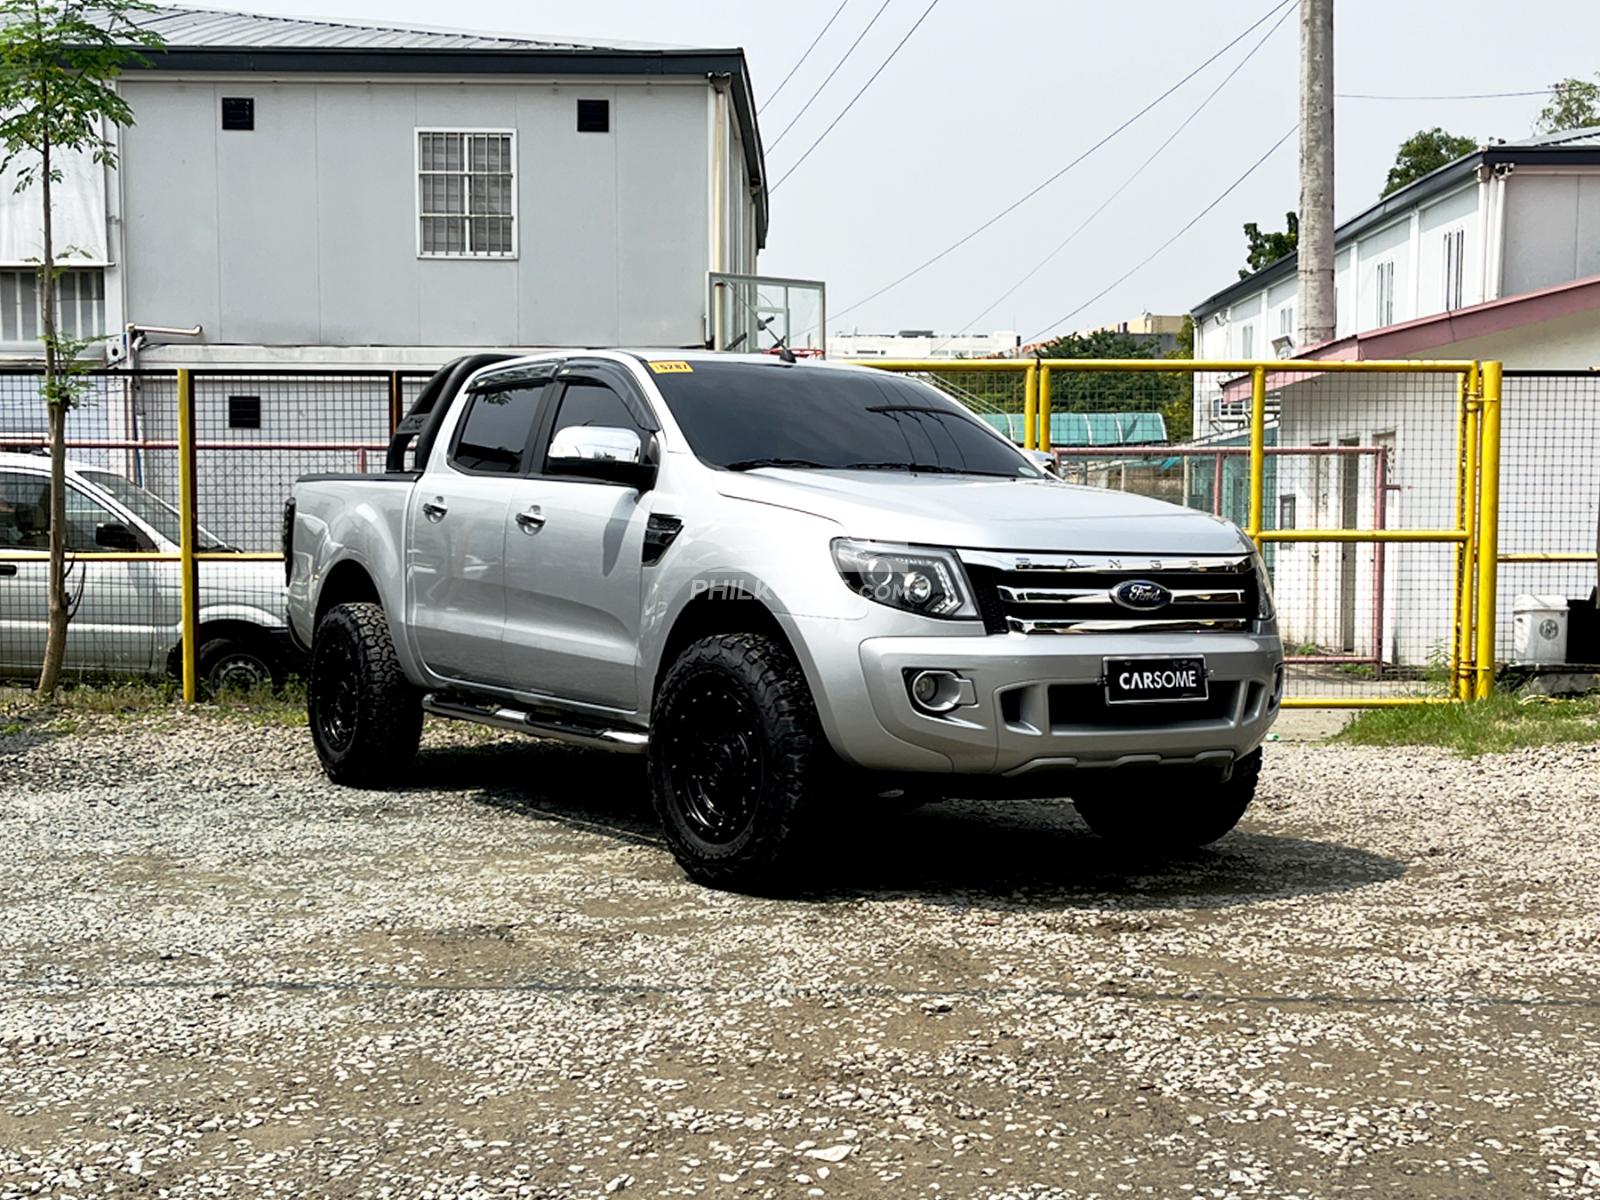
column 457, row 529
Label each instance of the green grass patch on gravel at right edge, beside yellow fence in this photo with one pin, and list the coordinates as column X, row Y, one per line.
column 1486, row 727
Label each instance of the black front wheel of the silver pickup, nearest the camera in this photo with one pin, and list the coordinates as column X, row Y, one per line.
column 737, row 758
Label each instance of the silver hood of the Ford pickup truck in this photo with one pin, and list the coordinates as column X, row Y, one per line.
column 980, row 513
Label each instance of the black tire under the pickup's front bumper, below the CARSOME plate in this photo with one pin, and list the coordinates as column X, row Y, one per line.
column 1185, row 817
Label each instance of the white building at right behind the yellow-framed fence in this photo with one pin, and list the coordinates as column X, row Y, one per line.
column 1495, row 257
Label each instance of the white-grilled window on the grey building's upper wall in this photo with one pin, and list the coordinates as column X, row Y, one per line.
column 466, row 193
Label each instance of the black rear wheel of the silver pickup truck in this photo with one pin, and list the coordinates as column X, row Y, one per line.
column 366, row 718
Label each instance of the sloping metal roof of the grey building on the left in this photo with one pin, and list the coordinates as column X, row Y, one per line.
column 260, row 31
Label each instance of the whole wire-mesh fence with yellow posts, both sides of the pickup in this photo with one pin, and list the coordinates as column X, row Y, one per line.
column 1359, row 481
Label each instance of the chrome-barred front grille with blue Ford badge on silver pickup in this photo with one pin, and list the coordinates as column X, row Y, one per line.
column 1079, row 594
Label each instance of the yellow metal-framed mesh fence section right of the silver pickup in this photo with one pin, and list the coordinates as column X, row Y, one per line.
column 1412, row 407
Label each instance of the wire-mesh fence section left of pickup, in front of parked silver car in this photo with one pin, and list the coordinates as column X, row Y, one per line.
column 254, row 434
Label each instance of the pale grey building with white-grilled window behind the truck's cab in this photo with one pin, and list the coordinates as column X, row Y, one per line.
column 308, row 191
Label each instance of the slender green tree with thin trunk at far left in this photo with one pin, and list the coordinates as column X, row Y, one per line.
column 58, row 68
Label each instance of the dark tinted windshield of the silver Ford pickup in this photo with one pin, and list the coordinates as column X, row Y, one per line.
column 743, row 417
